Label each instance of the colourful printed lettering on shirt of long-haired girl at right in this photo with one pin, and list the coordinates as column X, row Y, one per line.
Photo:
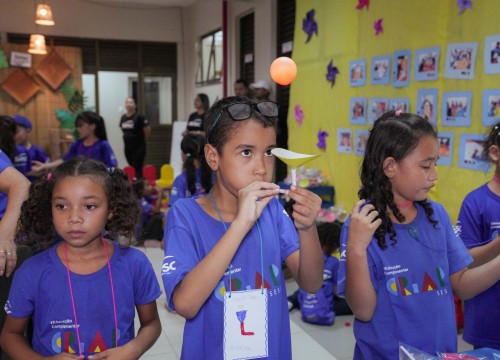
column 411, row 284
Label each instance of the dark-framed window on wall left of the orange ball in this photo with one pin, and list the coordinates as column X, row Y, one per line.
column 210, row 59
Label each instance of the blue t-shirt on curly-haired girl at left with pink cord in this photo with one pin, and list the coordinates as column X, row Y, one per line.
column 40, row 289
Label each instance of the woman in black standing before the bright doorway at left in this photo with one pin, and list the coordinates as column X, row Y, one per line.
column 135, row 129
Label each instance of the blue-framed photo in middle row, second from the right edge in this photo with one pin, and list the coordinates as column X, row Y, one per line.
column 456, row 108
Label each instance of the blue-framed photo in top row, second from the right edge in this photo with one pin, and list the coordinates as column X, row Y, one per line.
column 460, row 61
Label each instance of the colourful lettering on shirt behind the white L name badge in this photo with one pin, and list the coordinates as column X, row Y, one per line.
column 272, row 284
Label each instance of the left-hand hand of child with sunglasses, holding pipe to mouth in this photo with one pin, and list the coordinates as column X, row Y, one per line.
column 253, row 199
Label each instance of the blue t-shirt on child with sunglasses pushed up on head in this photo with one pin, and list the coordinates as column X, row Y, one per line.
column 190, row 234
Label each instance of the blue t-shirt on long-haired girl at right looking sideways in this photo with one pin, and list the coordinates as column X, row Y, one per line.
column 412, row 281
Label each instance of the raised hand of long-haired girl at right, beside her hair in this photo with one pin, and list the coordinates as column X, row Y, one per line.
column 364, row 222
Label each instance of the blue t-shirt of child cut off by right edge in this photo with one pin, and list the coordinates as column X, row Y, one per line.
column 479, row 224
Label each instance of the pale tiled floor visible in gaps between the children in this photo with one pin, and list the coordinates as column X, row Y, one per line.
column 308, row 341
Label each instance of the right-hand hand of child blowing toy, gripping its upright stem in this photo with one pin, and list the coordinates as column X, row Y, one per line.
column 306, row 208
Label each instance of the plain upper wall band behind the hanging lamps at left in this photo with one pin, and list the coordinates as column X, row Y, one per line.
column 90, row 20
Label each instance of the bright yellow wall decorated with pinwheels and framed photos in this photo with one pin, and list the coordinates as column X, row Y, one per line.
column 346, row 34
